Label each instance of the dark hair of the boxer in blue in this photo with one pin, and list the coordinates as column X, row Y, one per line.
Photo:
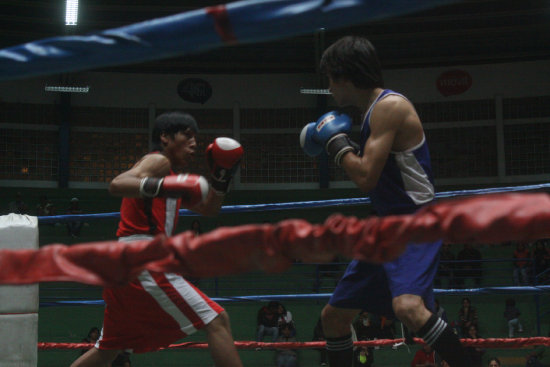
column 355, row 59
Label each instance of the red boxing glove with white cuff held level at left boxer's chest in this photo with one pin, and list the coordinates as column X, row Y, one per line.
column 193, row 189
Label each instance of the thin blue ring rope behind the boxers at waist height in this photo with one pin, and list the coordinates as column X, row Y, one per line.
column 296, row 205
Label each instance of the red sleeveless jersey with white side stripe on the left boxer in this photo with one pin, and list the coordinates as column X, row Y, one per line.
column 148, row 216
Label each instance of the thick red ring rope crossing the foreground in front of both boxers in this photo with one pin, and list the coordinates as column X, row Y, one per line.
column 482, row 219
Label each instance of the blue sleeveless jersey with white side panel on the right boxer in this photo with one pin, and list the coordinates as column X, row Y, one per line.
column 406, row 182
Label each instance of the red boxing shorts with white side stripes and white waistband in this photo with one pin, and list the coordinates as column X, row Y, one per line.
column 164, row 304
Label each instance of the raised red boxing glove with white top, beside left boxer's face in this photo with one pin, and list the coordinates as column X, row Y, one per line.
column 223, row 156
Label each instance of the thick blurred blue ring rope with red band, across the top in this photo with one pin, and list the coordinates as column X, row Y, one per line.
column 194, row 31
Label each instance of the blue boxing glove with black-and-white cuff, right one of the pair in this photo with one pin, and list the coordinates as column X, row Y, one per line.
column 331, row 131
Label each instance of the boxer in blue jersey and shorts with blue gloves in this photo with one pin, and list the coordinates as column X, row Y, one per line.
column 391, row 164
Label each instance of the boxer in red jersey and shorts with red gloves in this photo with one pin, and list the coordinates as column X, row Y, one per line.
column 157, row 309
